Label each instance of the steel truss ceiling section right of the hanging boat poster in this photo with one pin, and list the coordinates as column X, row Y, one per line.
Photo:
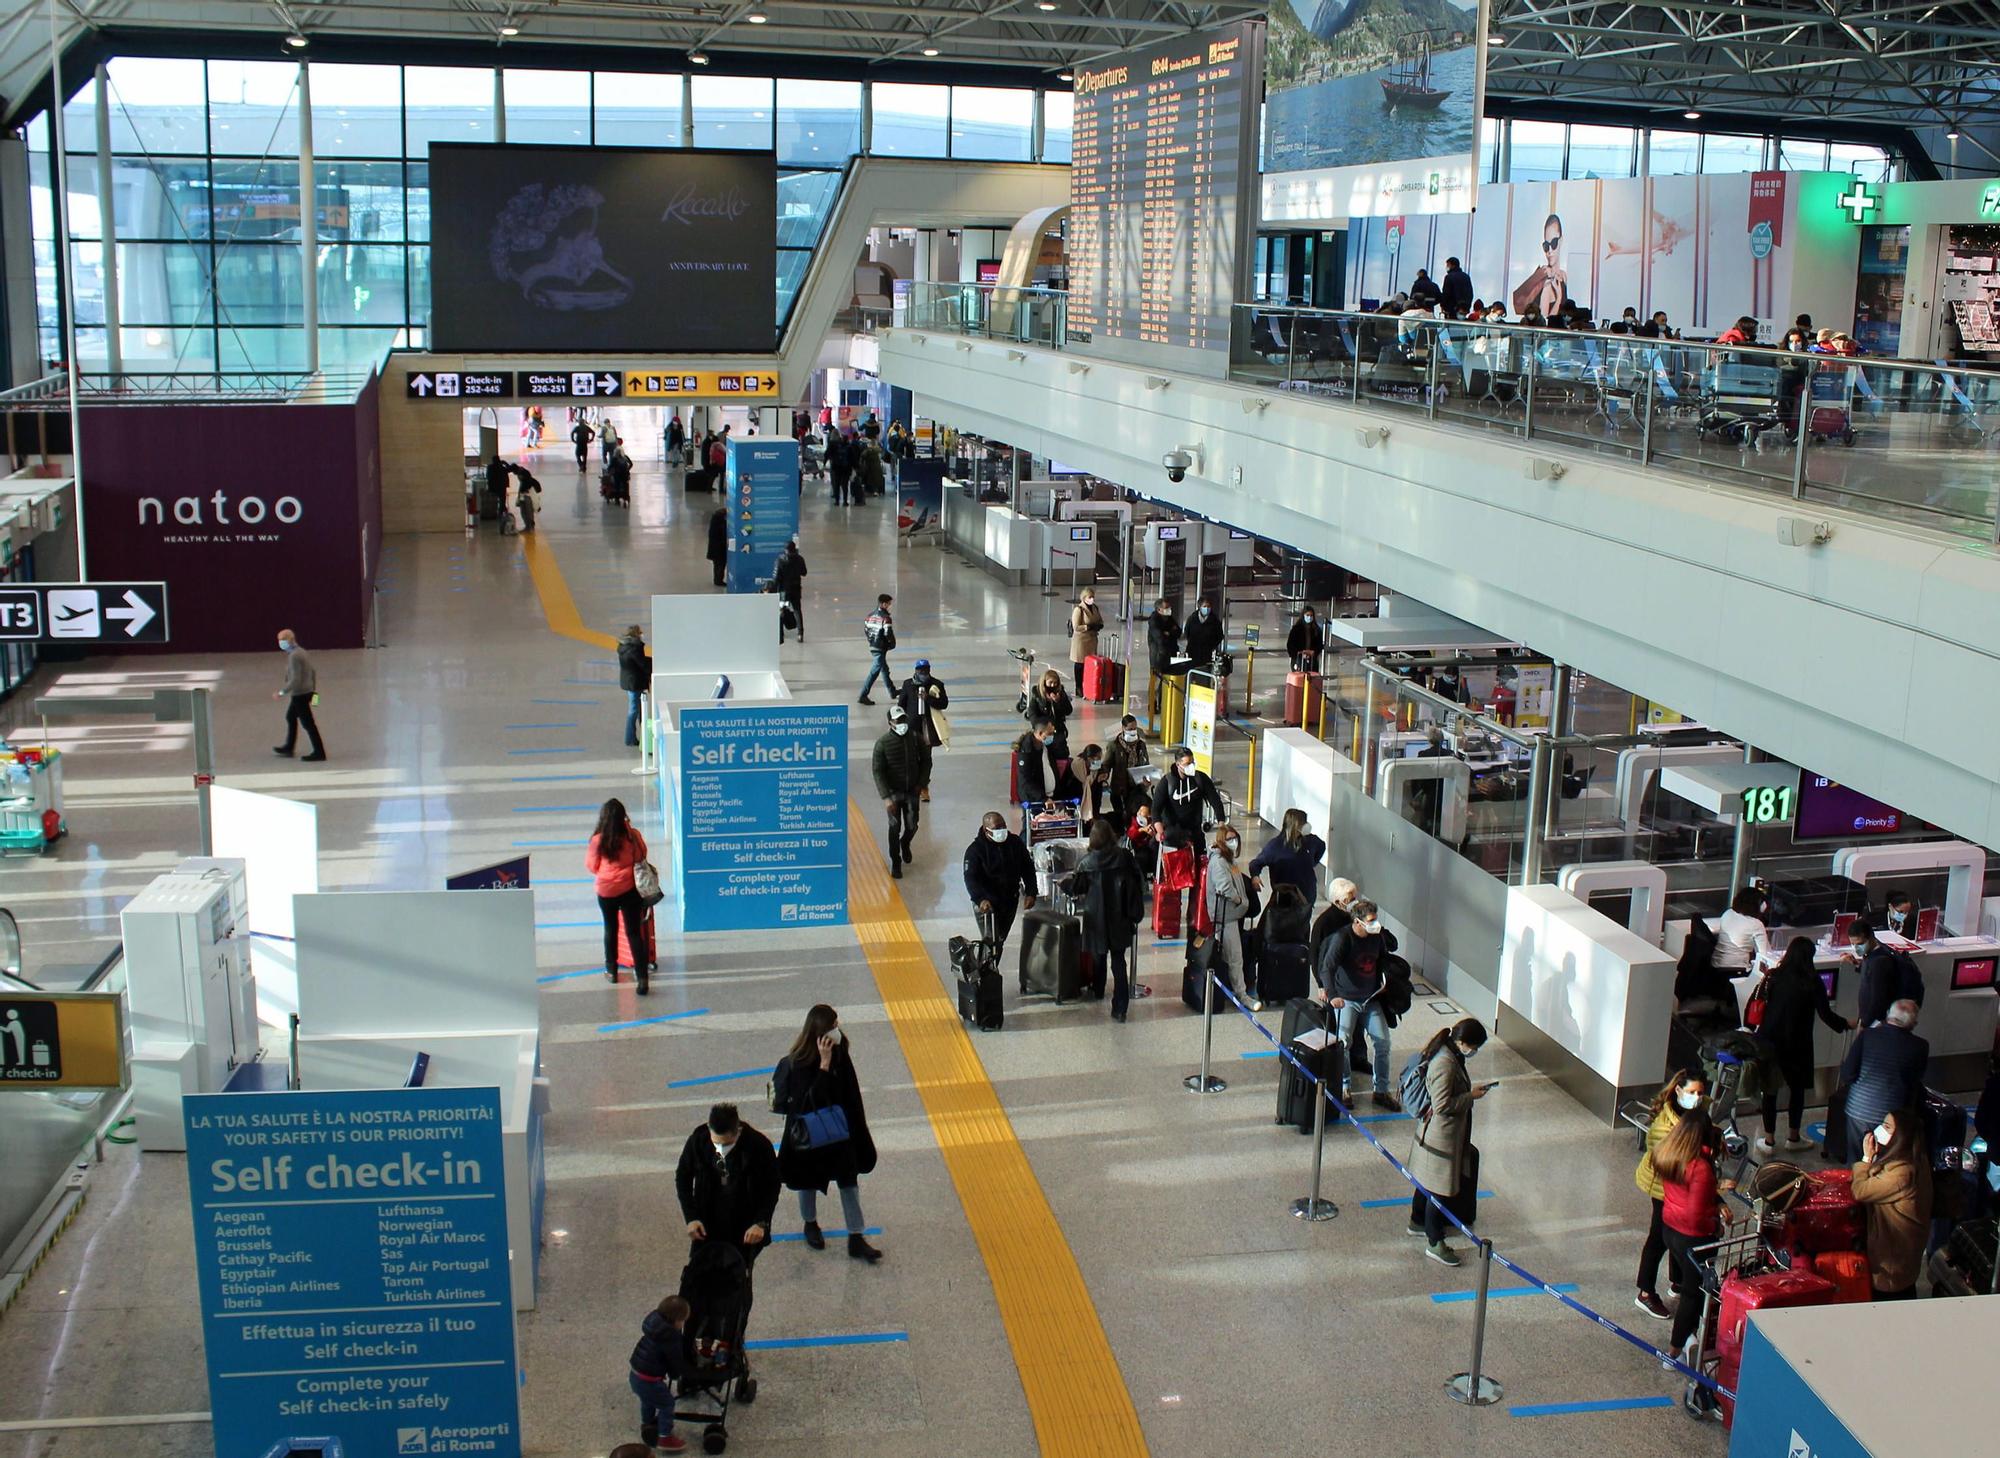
column 1877, row 61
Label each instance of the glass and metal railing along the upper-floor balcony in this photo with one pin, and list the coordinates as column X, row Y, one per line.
column 1889, row 439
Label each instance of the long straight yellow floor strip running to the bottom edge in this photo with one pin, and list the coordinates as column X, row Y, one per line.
column 1075, row 1389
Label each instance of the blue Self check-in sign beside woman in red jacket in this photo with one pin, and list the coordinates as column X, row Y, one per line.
column 763, row 837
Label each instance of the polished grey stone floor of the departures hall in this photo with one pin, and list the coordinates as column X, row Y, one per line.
column 1235, row 1327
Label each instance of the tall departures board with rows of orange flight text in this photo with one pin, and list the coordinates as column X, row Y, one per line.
column 1159, row 237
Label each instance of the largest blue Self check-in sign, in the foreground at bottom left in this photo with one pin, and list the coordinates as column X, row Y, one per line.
column 353, row 1265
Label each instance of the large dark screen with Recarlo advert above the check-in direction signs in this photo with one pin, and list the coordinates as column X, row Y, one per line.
column 577, row 249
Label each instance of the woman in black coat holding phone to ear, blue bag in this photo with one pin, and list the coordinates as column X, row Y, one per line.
column 819, row 1075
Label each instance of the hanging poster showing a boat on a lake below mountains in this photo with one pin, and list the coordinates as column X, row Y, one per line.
column 1377, row 101
